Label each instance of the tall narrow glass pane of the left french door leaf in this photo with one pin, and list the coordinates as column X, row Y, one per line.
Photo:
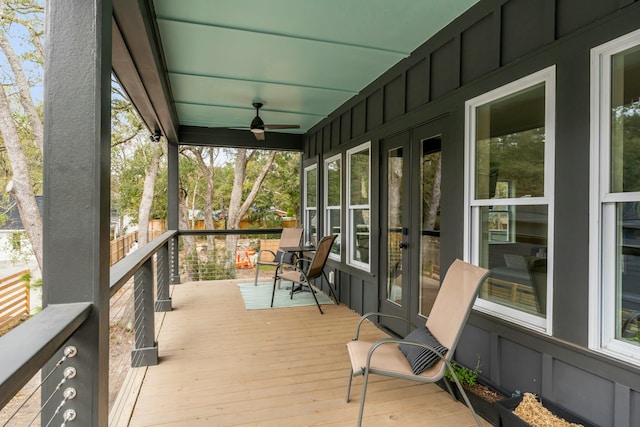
column 394, row 225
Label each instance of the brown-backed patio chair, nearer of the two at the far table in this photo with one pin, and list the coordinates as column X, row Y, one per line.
column 303, row 277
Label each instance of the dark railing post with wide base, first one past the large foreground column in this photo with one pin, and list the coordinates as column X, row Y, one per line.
column 145, row 351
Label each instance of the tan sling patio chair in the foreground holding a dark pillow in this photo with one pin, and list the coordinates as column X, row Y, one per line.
column 429, row 348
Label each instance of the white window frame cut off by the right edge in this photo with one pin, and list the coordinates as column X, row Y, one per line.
column 602, row 229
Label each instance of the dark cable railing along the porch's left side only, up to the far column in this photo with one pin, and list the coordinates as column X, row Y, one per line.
column 30, row 347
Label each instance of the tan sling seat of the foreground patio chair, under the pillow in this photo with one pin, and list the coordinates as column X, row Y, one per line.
column 387, row 357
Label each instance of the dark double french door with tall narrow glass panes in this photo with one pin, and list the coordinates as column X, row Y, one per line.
column 411, row 171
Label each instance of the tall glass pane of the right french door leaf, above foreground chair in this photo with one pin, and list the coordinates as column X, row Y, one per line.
column 430, row 168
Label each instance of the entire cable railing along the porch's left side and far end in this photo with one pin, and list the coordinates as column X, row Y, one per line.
column 138, row 288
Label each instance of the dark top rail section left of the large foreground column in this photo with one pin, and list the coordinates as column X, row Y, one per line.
column 28, row 347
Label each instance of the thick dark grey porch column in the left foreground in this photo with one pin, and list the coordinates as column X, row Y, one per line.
column 77, row 140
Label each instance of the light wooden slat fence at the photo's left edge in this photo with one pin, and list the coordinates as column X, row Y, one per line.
column 14, row 298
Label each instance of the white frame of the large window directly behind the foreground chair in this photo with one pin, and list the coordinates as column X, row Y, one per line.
column 473, row 206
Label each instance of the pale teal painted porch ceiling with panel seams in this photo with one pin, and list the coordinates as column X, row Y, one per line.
column 301, row 58
